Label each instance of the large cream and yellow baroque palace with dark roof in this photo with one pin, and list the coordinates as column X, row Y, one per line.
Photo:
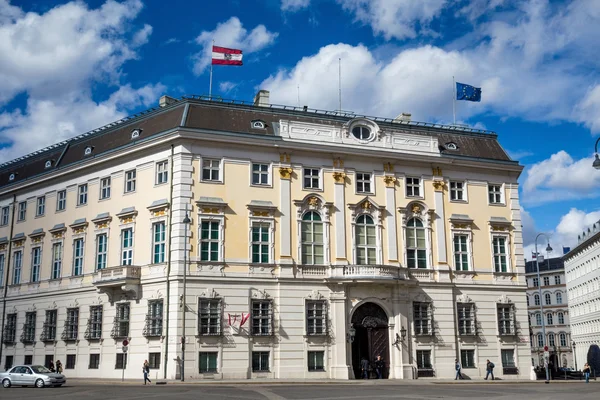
column 314, row 239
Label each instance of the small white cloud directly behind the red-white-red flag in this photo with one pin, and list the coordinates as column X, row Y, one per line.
column 231, row 34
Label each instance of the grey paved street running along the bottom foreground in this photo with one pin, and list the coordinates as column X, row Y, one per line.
column 357, row 390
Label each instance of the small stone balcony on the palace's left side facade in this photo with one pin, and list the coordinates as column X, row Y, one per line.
column 119, row 281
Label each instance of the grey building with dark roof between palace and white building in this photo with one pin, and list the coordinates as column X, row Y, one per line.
column 550, row 309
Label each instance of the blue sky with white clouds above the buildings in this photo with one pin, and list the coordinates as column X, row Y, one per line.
column 68, row 67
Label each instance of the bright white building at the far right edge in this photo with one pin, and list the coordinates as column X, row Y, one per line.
column 582, row 266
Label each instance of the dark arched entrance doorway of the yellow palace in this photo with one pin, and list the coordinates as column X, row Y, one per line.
column 371, row 339
